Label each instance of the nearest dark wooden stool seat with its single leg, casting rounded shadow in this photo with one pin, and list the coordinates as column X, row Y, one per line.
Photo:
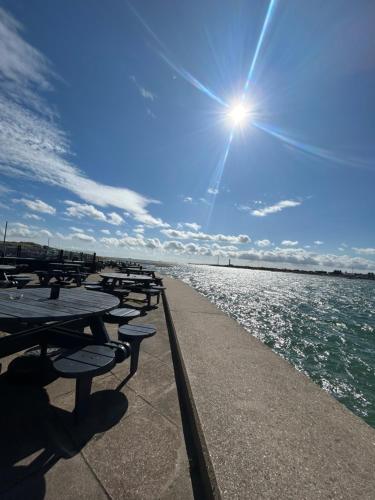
column 84, row 364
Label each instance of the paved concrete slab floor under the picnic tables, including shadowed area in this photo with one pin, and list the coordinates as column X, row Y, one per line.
column 132, row 445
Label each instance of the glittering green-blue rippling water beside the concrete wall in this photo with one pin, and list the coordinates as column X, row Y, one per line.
column 324, row 326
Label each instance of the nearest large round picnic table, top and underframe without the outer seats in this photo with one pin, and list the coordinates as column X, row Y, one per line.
column 49, row 319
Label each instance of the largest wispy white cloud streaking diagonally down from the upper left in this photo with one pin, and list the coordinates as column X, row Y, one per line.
column 32, row 145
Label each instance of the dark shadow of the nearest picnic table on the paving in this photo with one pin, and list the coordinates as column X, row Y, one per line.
column 35, row 435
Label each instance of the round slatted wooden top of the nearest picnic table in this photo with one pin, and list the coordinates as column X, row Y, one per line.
column 36, row 306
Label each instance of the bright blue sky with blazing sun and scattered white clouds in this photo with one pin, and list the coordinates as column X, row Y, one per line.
column 191, row 130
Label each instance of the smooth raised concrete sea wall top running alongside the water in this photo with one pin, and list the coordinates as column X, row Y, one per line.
column 263, row 430
